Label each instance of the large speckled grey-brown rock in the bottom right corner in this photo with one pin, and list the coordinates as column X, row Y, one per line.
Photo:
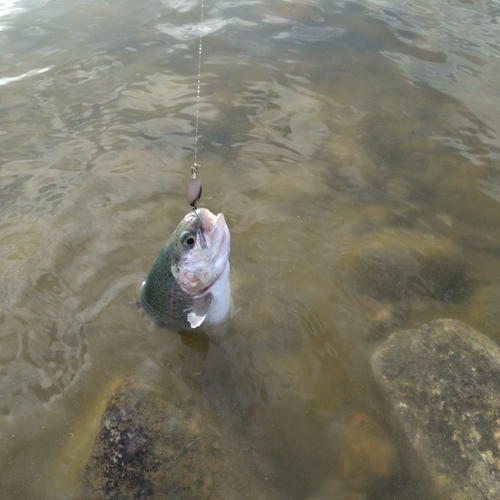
column 442, row 382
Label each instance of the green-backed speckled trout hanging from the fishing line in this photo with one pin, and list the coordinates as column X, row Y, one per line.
column 188, row 285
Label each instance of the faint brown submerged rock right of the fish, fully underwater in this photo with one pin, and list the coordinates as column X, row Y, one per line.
column 398, row 264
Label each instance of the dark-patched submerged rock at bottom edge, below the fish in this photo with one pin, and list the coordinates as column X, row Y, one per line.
column 151, row 445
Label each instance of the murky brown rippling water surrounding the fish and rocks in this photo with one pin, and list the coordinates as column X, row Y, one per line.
column 320, row 122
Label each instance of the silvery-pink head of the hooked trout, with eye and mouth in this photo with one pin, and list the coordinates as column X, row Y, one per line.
column 202, row 244
